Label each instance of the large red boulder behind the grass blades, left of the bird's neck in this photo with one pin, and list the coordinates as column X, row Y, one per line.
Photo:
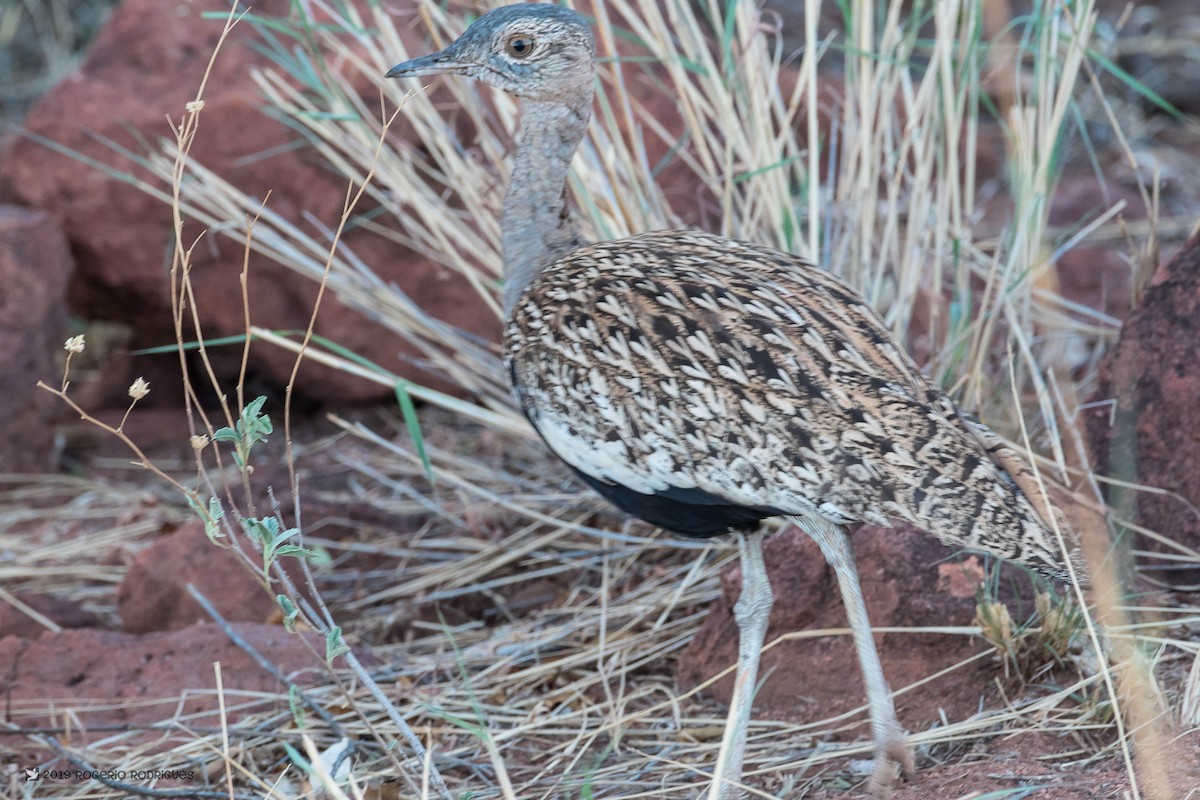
column 145, row 65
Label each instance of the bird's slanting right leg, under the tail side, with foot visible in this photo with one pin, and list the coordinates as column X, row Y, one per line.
column 892, row 751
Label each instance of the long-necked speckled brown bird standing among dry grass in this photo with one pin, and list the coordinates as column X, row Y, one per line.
column 706, row 384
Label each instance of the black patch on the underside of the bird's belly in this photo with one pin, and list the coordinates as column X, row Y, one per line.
column 688, row 513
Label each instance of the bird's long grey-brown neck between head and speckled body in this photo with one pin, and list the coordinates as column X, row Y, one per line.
column 539, row 227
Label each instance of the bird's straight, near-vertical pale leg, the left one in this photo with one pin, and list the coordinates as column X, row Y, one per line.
column 752, row 612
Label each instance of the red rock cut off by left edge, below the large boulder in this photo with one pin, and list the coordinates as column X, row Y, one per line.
column 35, row 264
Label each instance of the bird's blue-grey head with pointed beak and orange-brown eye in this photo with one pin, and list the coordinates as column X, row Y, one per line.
column 537, row 51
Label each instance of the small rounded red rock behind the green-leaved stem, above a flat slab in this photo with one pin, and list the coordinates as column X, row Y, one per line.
column 154, row 594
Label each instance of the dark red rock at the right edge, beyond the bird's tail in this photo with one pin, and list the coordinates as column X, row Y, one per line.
column 1145, row 423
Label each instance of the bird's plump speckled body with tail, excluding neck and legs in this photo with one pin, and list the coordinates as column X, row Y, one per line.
column 704, row 384
